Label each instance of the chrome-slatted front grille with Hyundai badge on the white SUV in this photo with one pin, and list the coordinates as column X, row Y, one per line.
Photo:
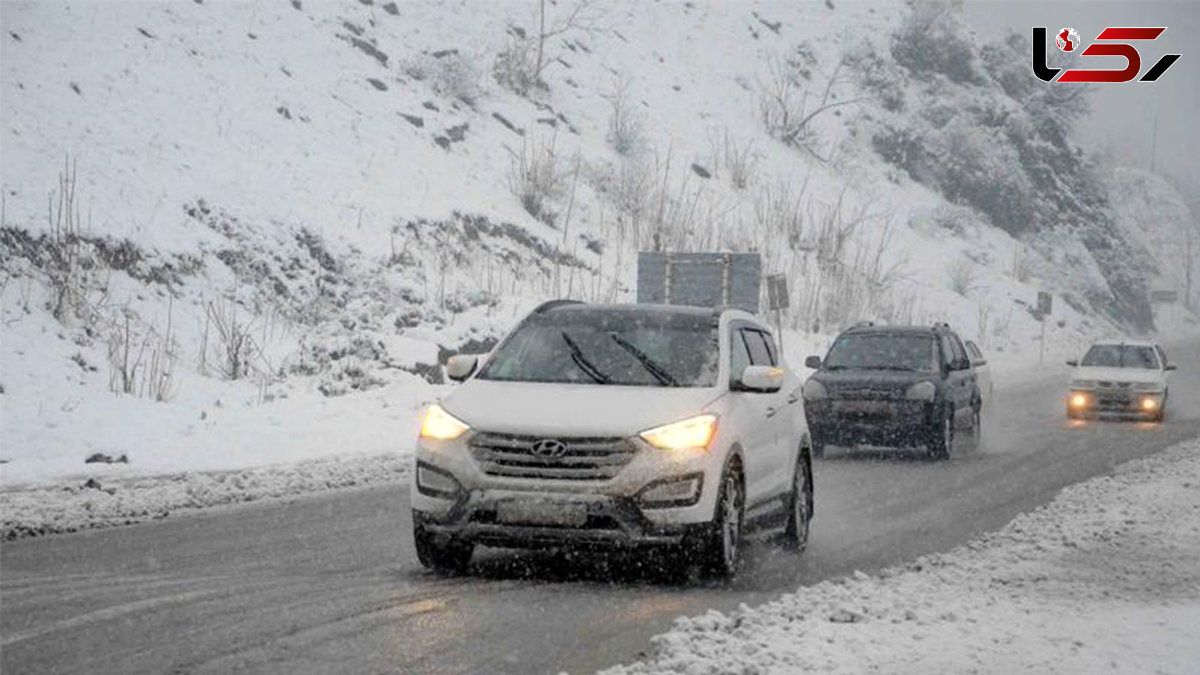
column 584, row 458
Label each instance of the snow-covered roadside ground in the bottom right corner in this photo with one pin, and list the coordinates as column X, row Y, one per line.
column 1103, row 580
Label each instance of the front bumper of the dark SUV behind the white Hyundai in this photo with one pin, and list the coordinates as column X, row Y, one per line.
column 895, row 423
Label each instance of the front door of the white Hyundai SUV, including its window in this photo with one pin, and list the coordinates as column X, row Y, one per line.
column 753, row 416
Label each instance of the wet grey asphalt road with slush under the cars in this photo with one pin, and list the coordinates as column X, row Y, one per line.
column 331, row 583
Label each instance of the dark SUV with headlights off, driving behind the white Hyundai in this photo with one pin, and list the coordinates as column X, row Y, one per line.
column 898, row 386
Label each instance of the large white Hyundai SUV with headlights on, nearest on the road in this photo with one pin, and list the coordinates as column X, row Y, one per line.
column 616, row 426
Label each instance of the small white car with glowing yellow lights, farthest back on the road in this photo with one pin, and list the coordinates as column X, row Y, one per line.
column 1125, row 378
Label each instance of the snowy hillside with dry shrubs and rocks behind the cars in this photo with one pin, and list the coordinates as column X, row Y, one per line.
column 242, row 234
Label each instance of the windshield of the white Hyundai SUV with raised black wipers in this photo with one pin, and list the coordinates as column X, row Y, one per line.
column 610, row 348
